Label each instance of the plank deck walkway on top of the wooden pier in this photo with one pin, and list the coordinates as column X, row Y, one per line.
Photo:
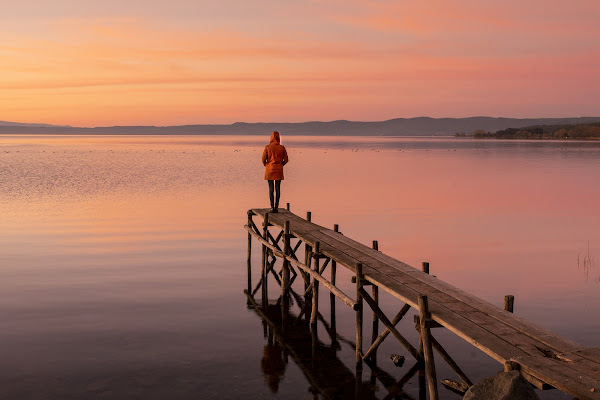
column 502, row 335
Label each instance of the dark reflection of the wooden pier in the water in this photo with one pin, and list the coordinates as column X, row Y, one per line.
column 291, row 336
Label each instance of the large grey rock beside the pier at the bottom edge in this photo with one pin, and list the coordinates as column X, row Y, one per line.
column 504, row 386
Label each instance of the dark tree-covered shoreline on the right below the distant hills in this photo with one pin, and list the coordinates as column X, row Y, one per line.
column 548, row 132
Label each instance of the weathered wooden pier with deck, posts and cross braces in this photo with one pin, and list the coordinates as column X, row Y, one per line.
column 544, row 358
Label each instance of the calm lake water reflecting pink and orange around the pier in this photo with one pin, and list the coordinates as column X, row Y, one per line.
column 123, row 258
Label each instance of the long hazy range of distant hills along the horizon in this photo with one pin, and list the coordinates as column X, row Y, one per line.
column 422, row 126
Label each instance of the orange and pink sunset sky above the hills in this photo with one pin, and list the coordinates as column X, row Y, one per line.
column 141, row 62
